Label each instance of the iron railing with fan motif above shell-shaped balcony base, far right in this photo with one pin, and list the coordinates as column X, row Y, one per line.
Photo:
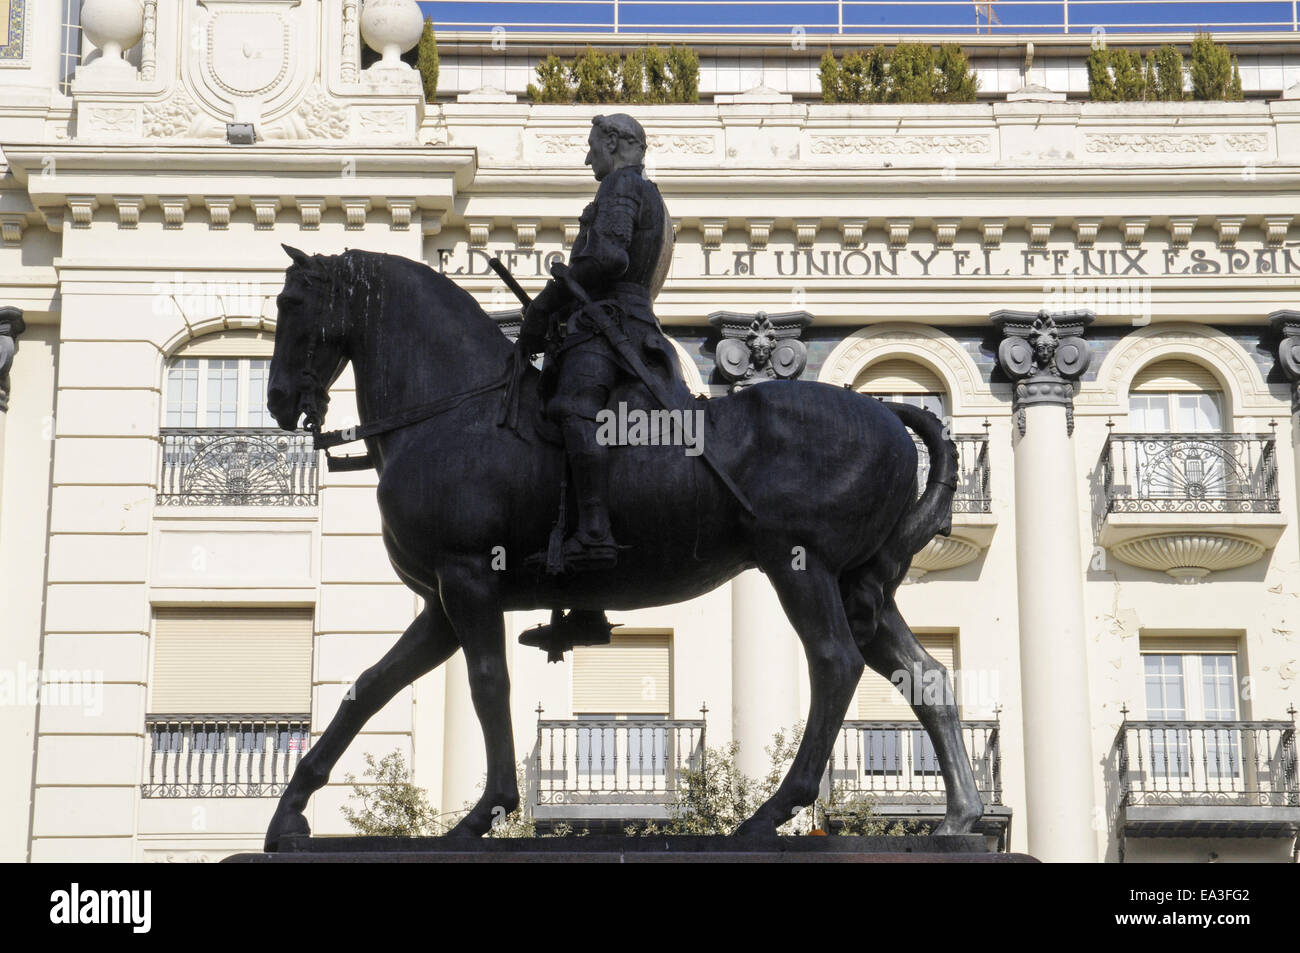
column 1190, row 473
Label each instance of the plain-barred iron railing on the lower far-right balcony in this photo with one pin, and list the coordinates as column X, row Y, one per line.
column 1210, row 764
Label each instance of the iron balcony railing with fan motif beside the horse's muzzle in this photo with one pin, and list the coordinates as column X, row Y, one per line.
column 237, row 467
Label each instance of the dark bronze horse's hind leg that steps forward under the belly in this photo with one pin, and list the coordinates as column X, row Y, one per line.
column 812, row 600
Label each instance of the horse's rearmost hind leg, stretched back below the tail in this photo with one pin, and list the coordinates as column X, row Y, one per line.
column 892, row 648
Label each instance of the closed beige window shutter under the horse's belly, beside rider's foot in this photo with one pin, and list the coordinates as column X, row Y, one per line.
column 632, row 675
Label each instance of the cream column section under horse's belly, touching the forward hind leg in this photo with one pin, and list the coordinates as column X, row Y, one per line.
column 765, row 670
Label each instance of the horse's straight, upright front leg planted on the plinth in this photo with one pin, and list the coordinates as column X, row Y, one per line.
column 474, row 607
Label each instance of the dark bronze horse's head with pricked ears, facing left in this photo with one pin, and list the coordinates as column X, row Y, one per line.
column 310, row 341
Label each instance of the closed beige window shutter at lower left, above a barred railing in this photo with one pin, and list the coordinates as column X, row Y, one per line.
column 232, row 661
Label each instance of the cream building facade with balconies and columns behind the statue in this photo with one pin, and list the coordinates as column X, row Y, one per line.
column 1103, row 300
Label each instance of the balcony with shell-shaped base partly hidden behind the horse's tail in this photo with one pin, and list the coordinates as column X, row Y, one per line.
column 973, row 521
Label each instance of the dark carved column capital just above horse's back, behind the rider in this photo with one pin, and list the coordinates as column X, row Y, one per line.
column 760, row 348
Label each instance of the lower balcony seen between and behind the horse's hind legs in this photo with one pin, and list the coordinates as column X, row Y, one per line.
column 895, row 765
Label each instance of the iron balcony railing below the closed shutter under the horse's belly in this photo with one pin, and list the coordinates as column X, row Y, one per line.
column 610, row 763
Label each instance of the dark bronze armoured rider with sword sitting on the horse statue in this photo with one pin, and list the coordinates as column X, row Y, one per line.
column 619, row 261
